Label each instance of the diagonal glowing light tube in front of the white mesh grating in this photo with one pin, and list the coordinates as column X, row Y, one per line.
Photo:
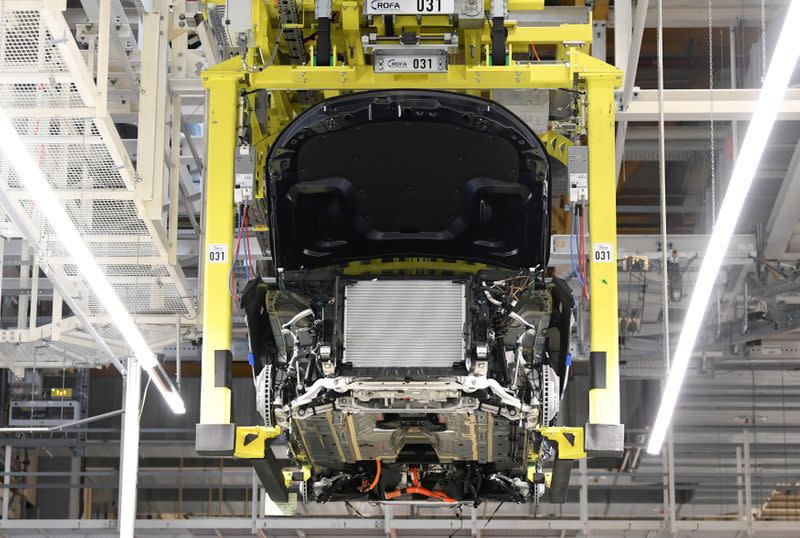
column 64, row 229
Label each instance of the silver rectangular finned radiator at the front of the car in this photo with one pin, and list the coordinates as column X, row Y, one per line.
column 404, row 323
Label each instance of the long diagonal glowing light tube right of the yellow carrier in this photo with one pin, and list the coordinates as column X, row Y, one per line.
column 770, row 102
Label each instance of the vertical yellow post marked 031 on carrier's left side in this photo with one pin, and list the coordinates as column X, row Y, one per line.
column 215, row 433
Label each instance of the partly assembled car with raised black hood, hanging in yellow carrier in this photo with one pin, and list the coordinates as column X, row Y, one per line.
column 411, row 345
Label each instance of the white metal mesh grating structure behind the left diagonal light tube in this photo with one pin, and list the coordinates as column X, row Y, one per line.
column 49, row 91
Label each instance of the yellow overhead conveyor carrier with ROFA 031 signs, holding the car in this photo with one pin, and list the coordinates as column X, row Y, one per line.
column 460, row 46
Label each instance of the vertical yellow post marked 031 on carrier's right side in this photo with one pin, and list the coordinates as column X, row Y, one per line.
column 604, row 433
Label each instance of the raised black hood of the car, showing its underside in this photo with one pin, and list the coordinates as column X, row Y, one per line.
column 408, row 173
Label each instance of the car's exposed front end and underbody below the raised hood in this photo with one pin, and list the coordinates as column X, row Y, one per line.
column 465, row 427
